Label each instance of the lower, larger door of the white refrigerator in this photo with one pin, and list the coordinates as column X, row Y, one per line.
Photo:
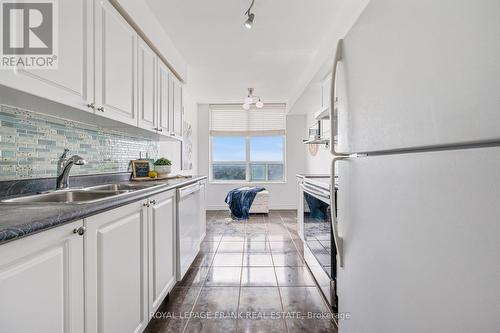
column 421, row 236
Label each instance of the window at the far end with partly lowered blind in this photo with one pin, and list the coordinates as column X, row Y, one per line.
column 247, row 145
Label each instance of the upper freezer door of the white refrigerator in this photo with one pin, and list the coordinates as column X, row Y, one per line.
column 420, row 73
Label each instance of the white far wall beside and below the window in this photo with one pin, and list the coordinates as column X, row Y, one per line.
column 282, row 195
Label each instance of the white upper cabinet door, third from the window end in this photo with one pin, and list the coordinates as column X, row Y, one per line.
column 147, row 118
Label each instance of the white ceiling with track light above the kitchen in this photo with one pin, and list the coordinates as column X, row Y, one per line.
column 277, row 57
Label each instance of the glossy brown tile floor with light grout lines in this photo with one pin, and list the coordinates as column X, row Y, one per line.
column 249, row 277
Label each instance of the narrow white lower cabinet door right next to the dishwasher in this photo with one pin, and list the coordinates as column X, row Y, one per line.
column 161, row 248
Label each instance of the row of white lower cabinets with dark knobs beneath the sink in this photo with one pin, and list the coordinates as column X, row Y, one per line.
column 105, row 279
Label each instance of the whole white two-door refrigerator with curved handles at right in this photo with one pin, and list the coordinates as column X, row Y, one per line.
column 416, row 110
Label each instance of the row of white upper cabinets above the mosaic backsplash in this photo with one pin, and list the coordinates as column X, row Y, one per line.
column 104, row 67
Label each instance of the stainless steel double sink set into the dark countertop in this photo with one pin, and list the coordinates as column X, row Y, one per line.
column 70, row 196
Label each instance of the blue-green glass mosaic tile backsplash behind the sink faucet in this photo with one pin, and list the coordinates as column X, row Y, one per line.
column 31, row 143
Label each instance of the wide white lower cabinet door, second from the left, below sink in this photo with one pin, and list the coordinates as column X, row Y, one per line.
column 116, row 270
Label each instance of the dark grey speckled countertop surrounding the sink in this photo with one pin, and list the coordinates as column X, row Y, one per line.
column 18, row 220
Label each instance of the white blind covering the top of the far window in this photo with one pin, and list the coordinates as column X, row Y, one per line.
column 234, row 120
